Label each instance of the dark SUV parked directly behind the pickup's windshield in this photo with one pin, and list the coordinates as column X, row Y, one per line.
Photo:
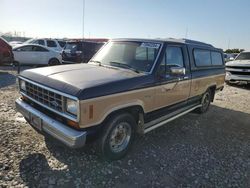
column 80, row 51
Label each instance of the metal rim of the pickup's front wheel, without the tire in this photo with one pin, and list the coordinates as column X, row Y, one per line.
column 120, row 137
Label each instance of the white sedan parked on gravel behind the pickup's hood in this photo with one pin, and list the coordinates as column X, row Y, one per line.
column 33, row 54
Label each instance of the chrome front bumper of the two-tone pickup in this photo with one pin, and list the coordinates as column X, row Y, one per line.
column 63, row 133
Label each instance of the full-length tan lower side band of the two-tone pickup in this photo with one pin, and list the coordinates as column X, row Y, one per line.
column 149, row 99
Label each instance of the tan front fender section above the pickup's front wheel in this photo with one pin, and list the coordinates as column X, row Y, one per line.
column 102, row 106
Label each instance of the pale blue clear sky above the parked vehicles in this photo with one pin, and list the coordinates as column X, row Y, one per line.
column 223, row 23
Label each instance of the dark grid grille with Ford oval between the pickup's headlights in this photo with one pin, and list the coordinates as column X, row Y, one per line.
column 44, row 96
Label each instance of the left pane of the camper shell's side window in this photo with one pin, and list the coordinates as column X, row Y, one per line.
column 202, row 58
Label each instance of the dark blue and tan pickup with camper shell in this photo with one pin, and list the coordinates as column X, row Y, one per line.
column 131, row 86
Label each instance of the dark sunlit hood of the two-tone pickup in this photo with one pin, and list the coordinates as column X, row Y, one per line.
column 73, row 79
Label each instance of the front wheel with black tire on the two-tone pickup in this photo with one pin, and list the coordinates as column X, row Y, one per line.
column 117, row 137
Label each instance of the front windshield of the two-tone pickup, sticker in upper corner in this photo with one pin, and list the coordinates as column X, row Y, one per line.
column 139, row 56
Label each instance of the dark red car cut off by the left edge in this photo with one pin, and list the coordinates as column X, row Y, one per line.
column 6, row 55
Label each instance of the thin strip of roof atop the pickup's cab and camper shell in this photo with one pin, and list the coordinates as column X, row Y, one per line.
column 183, row 41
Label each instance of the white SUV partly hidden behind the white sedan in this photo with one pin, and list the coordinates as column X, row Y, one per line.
column 54, row 44
